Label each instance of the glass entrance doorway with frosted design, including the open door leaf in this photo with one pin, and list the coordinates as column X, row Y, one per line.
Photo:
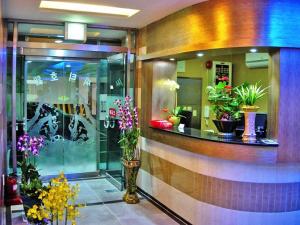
column 67, row 101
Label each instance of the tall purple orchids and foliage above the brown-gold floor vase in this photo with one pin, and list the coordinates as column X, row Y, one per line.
column 128, row 125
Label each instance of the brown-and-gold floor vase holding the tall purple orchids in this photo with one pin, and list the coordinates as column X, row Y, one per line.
column 131, row 170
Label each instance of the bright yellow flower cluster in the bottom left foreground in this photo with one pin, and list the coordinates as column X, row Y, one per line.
column 57, row 203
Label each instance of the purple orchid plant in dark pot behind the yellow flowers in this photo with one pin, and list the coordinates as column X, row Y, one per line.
column 31, row 184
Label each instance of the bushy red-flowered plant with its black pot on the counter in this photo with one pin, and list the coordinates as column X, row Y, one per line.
column 225, row 106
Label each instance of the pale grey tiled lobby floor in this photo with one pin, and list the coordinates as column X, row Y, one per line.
column 99, row 195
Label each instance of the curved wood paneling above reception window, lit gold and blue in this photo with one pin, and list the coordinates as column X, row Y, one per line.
column 224, row 24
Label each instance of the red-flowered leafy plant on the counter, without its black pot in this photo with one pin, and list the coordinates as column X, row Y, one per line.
column 225, row 103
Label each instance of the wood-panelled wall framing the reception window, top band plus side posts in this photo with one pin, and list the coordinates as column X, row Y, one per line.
column 227, row 24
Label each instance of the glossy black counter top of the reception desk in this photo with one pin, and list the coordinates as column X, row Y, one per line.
column 195, row 133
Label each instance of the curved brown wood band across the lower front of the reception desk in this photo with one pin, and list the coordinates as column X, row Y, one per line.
column 236, row 195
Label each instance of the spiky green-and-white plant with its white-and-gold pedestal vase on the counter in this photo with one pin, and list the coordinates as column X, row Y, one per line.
column 248, row 95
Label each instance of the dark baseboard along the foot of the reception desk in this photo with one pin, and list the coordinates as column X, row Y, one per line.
column 163, row 208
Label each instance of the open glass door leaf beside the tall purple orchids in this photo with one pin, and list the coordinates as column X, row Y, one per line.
column 111, row 86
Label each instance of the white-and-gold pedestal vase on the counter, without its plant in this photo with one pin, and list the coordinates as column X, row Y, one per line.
column 249, row 134
